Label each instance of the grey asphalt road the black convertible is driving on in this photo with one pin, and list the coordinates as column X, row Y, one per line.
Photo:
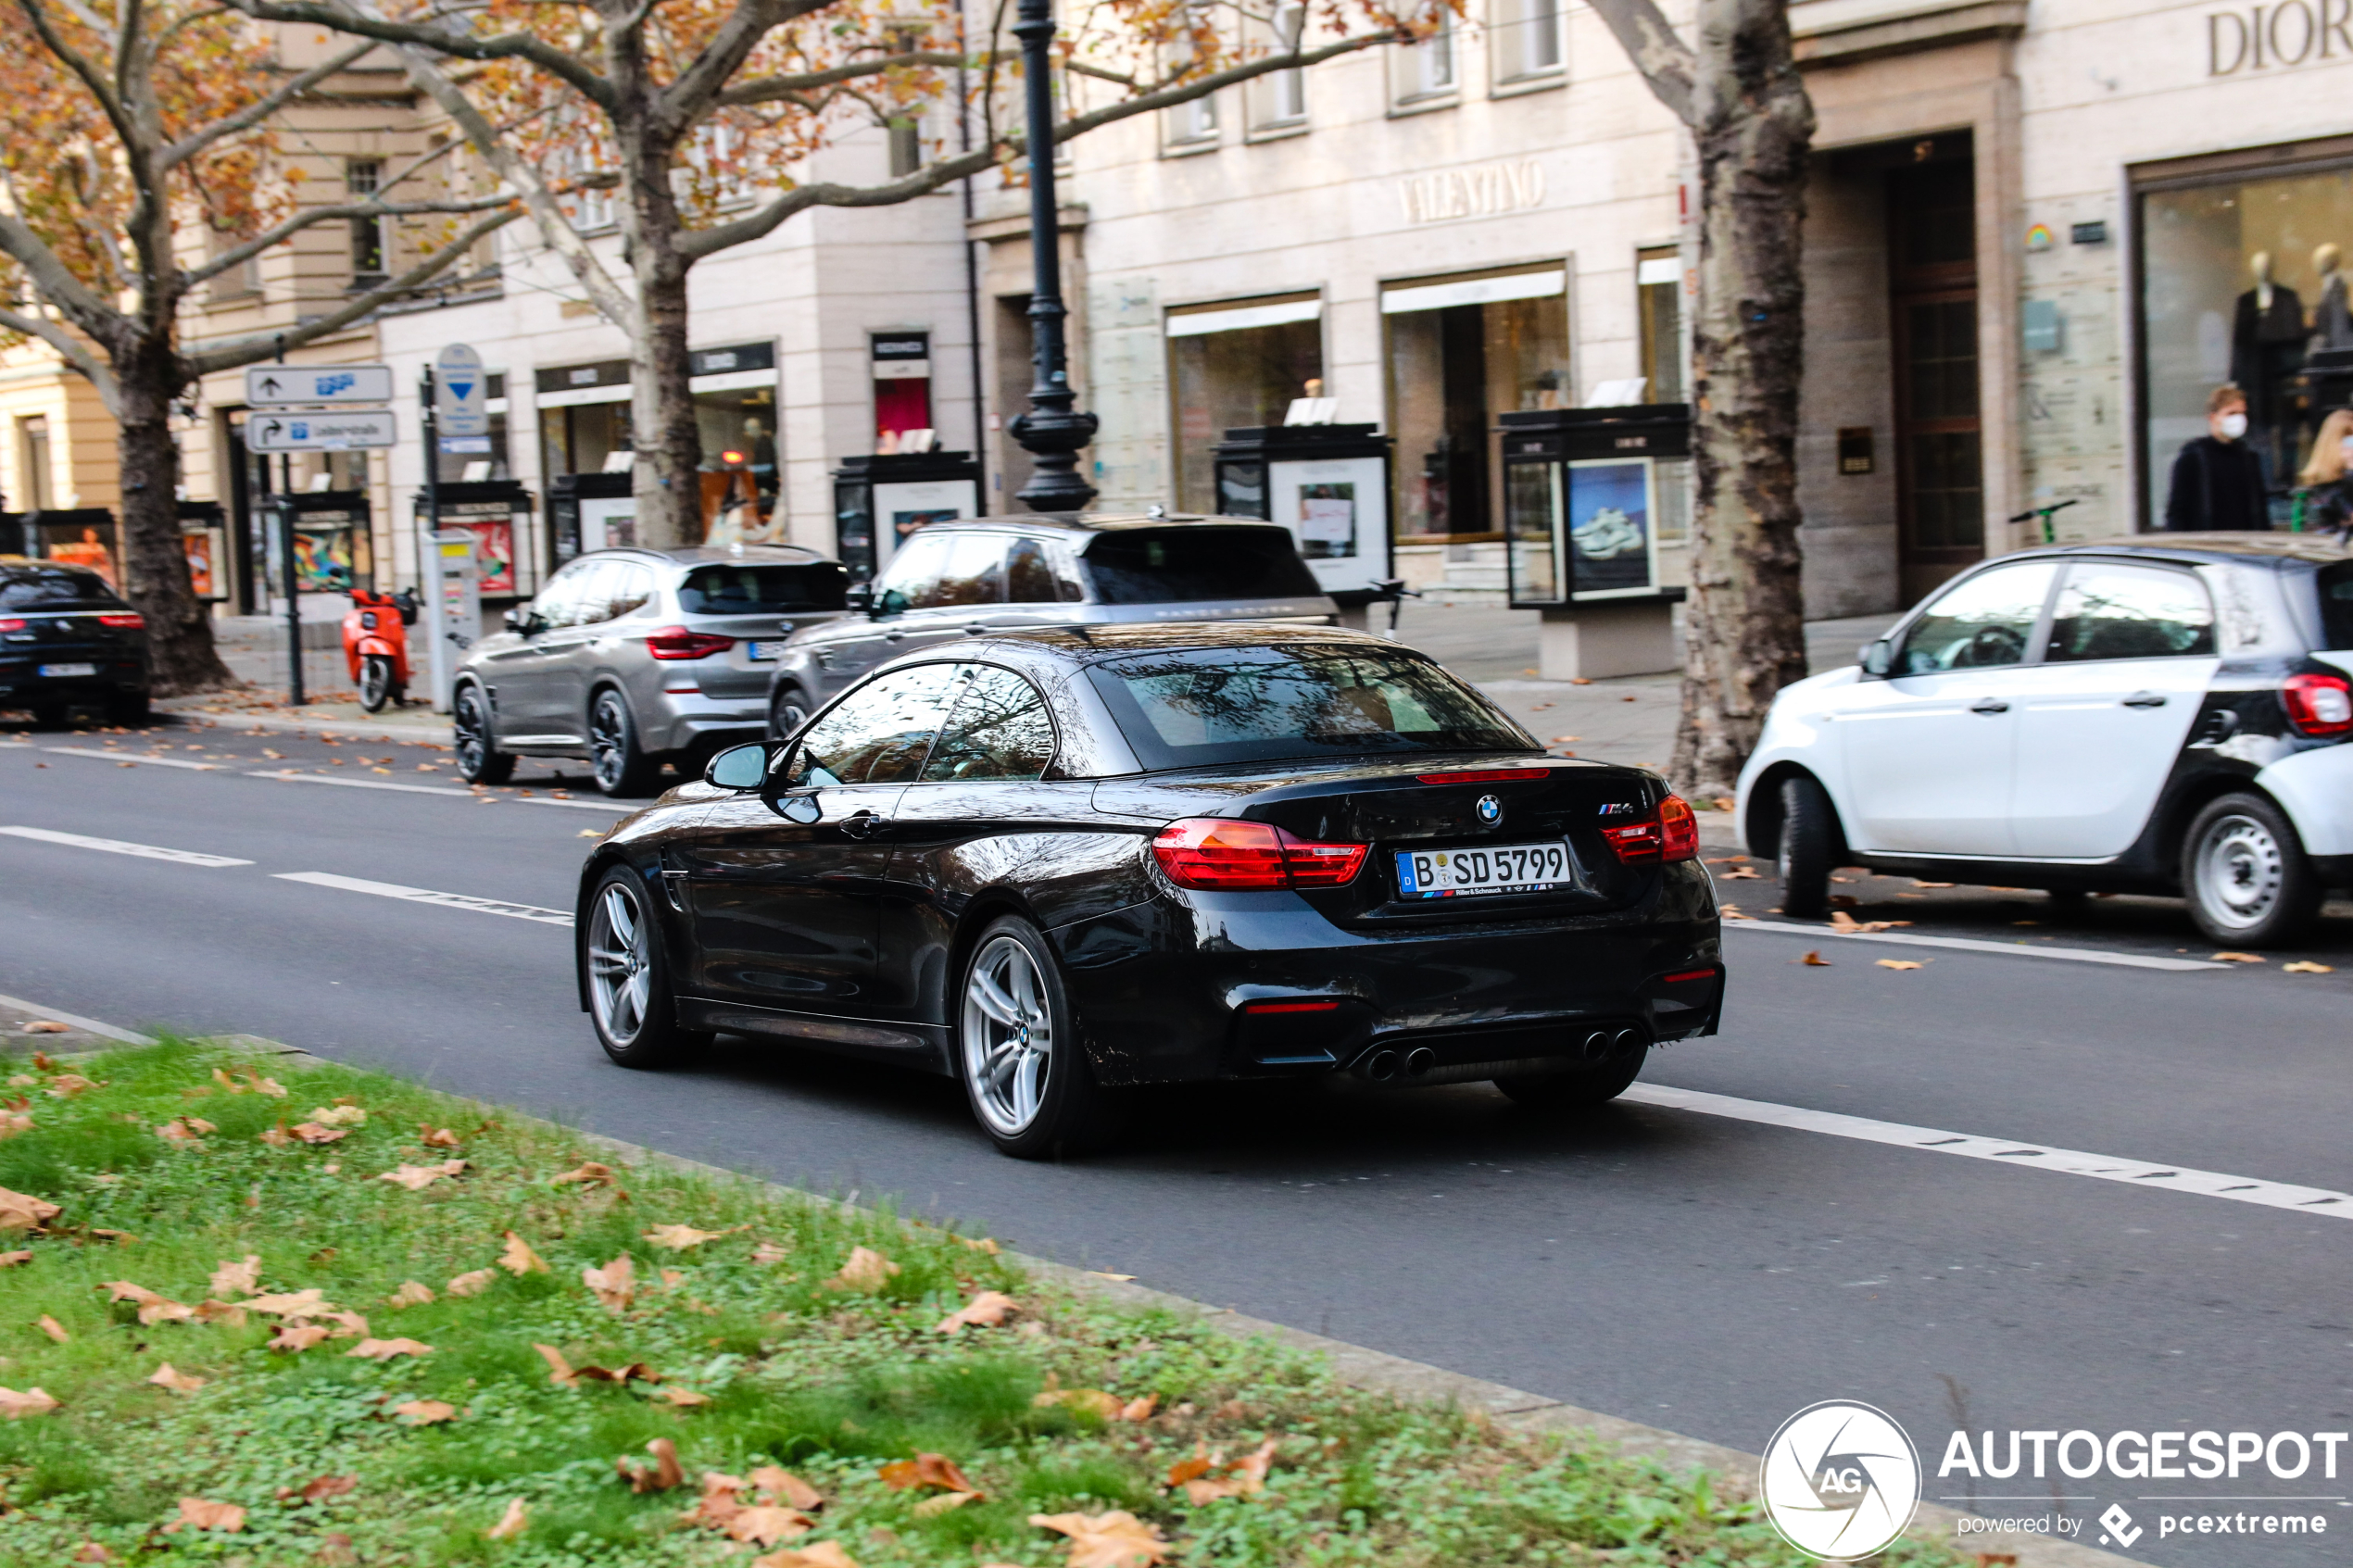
column 1684, row 1268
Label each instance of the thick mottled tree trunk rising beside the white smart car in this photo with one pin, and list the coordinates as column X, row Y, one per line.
column 1745, row 622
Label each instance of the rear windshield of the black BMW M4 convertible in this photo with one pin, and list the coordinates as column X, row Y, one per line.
column 1215, row 706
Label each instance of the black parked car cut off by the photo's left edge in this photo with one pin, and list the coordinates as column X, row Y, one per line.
column 67, row 641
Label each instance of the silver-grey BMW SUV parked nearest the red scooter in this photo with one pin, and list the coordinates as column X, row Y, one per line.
column 639, row 657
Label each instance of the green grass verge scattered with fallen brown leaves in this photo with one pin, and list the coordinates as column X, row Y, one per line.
column 345, row 1320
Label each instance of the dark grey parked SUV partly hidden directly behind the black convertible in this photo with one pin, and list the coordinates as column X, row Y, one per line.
column 992, row 575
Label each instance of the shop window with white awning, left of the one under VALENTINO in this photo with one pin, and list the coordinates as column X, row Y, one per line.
column 1237, row 366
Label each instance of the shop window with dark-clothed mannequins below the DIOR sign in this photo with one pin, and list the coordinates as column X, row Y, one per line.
column 2241, row 281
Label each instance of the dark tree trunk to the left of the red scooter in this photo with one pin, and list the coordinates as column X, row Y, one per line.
column 154, row 561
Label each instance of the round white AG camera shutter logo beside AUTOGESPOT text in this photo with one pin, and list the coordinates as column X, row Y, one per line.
column 1841, row 1480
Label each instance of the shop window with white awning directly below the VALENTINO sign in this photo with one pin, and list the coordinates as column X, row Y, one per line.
column 1462, row 354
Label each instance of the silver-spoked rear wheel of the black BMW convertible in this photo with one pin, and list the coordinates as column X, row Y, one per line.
column 1018, row 1050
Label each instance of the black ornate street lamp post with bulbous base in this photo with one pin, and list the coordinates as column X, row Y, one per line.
column 1053, row 431
